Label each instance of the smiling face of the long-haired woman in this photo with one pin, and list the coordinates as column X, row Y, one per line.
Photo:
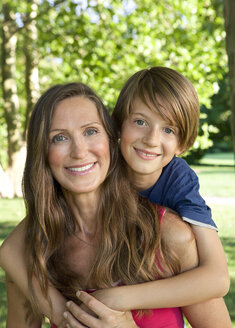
column 79, row 154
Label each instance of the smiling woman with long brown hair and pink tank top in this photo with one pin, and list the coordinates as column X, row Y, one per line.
column 85, row 227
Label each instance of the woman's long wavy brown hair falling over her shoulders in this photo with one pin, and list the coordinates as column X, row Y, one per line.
column 129, row 228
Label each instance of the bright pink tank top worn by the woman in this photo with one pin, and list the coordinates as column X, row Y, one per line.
column 158, row 318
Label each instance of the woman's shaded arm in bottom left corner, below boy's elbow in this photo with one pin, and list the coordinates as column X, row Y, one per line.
column 17, row 312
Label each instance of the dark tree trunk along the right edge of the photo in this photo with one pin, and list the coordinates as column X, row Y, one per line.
column 229, row 14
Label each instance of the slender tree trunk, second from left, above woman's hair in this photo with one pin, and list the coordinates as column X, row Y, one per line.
column 31, row 60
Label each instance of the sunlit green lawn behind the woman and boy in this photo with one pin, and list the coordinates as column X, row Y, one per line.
column 214, row 181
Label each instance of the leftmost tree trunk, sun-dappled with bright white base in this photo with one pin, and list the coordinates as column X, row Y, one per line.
column 11, row 179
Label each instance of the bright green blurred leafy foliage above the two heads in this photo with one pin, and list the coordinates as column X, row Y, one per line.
column 102, row 43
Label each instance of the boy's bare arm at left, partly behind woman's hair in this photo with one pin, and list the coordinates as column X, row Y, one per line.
column 13, row 262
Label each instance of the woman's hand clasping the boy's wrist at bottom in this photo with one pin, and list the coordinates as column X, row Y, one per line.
column 105, row 317
